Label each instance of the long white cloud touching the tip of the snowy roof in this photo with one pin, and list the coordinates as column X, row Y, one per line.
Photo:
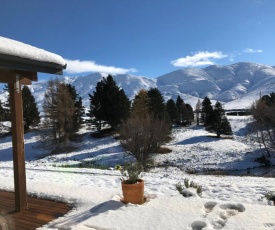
column 77, row 66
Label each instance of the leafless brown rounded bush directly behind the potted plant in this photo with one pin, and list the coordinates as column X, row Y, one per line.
column 142, row 136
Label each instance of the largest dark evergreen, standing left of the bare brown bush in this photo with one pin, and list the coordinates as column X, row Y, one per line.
column 109, row 103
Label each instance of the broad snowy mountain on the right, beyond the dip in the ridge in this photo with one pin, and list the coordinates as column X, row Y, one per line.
column 237, row 85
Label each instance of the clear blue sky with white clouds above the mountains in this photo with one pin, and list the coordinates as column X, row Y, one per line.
column 144, row 37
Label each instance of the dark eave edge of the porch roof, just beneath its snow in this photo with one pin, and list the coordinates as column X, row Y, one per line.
column 10, row 62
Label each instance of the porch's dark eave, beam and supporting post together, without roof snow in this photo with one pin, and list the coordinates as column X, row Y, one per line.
column 17, row 71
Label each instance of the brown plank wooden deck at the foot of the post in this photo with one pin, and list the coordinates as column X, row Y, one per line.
column 39, row 212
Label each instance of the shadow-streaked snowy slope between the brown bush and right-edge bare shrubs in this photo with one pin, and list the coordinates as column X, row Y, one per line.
column 196, row 149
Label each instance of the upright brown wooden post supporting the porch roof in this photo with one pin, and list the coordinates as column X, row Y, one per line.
column 18, row 146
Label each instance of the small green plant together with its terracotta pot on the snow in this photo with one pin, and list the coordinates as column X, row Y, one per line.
column 132, row 185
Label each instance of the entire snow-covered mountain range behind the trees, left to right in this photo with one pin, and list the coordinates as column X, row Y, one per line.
column 236, row 85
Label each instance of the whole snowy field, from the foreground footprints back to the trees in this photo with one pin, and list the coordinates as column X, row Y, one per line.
column 227, row 202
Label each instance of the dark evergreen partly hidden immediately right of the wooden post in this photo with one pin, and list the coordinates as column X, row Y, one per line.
column 30, row 110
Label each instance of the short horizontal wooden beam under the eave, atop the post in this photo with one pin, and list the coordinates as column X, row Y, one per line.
column 25, row 78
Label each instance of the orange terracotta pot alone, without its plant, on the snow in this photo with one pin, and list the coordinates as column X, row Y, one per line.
column 133, row 193
